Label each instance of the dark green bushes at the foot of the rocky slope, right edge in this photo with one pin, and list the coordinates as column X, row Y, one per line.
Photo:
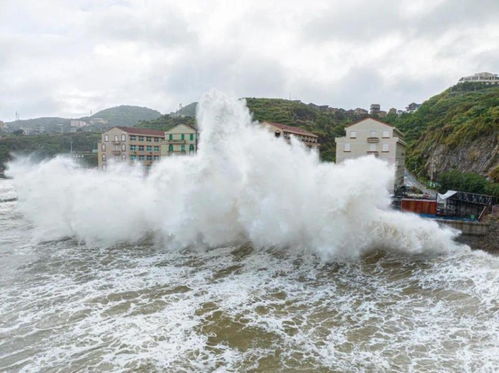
column 467, row 182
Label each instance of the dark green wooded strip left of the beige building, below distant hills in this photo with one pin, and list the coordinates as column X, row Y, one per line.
column 46, row 146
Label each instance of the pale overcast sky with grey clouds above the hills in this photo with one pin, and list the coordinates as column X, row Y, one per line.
column 71, row 58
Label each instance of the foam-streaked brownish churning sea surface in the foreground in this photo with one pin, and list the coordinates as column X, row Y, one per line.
column 67, row 307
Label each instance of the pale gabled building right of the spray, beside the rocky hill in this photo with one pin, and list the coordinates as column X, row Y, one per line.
column 373, row 137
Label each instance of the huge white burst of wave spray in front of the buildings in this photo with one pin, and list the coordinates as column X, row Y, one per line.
column 243, row 185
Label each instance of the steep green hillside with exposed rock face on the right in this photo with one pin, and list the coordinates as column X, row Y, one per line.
column 457, row 129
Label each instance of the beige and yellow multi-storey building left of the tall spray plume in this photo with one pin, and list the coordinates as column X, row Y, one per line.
column 145, row 145
